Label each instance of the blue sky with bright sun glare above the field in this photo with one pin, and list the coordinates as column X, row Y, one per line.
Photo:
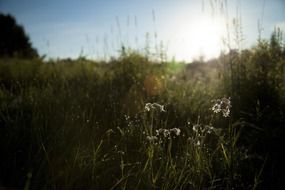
column 180, row 29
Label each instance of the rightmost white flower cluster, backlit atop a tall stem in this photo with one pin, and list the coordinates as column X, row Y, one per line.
column 222, row 105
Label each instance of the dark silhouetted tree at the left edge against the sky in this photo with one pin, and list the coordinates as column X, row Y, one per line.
column 13, row 39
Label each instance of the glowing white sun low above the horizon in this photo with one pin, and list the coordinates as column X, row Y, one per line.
column 197, row 37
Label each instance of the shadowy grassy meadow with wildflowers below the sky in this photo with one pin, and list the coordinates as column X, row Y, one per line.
column 136, row 123
